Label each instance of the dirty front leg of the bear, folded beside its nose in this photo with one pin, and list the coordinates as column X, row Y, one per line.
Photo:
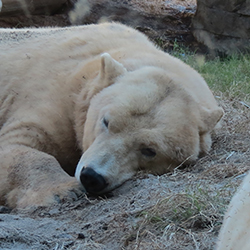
column 29, row 177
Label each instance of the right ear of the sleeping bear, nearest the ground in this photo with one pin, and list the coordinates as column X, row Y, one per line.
column 209, row 119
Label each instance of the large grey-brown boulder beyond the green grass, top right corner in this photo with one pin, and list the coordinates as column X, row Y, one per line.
column 223, row 25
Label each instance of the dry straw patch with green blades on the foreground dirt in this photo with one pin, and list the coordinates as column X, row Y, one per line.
column 187, row 216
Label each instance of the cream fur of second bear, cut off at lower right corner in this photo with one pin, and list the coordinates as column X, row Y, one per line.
column 235, row 231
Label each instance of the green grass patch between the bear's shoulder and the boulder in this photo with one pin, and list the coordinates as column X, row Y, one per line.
column 230, row 75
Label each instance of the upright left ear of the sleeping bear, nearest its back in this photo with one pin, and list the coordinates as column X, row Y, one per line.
column 110, row 68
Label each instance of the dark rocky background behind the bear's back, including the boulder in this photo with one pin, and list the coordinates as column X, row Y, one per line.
column 211, row 26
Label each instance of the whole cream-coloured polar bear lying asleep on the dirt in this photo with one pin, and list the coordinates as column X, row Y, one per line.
column 99, row 102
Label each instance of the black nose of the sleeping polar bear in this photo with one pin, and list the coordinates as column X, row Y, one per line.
column 93, row 182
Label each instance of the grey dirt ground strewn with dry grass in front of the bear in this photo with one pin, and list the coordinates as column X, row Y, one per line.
column 179, row 210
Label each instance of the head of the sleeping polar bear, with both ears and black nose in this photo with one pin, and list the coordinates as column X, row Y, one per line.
column 142, row 120
